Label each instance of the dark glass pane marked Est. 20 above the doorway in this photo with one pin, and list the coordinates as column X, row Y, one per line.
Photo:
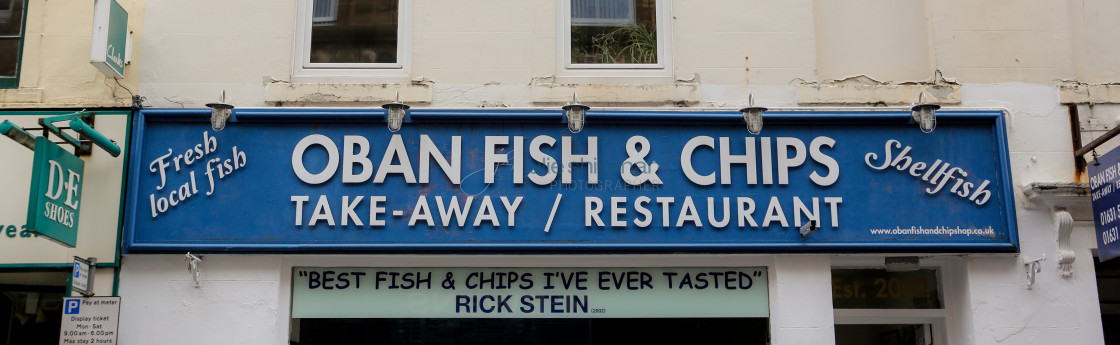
column 882, row 290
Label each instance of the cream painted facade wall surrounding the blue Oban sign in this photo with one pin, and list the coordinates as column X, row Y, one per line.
column 1031, row 60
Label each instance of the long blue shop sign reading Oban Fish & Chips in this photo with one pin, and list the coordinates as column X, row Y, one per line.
column 514, row 181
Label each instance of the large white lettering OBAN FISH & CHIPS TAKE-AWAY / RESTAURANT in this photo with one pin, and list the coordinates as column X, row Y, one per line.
column 771, row 158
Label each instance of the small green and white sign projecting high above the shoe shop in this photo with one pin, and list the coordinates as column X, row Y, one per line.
column 110, row 38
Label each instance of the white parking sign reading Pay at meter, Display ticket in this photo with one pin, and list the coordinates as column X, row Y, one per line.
column 90, row 321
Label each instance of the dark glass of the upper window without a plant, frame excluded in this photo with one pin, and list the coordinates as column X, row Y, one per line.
column 354, row 32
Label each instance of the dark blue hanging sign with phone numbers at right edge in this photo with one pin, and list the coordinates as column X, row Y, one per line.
column 1104, row 182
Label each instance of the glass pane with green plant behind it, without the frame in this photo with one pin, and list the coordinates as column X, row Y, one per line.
column 614, row 32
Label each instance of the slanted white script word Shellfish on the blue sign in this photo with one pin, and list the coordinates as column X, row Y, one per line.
column 938, row 174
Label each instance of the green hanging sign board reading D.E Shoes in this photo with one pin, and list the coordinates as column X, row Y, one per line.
column 57, row 193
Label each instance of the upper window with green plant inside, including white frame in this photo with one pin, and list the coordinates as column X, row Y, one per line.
column 614, row 34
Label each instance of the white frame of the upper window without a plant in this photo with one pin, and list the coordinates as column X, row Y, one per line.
column 305, row 71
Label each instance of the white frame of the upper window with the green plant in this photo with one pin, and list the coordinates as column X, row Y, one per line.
column 665, row 48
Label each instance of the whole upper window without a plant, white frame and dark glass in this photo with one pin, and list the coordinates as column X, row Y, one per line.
column 340, row 39
